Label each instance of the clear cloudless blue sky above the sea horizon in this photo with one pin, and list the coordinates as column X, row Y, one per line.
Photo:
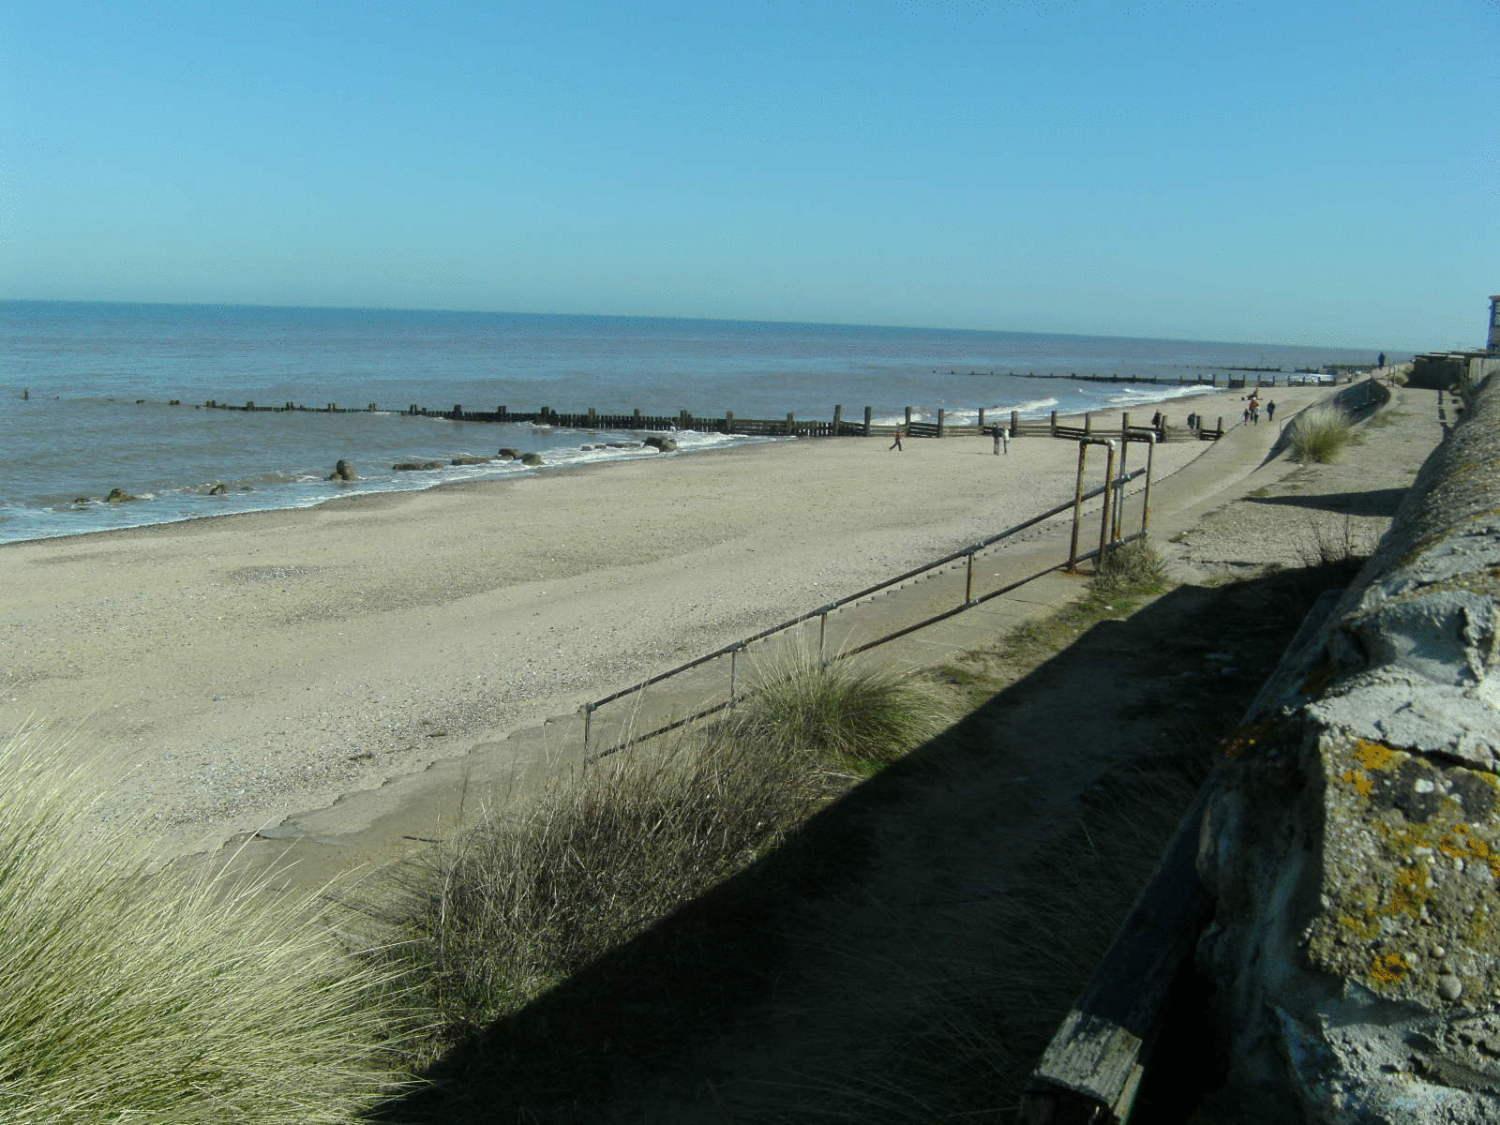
column 1321, row 173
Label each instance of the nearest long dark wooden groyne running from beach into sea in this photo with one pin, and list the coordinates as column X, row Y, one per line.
column 1070, row 428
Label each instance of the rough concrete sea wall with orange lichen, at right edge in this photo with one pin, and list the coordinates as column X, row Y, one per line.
column 1352, row 842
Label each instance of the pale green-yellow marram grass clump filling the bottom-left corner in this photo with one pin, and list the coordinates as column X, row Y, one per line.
column 139, row 995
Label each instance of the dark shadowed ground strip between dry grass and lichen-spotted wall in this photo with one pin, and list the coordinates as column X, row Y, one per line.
column 905, row 952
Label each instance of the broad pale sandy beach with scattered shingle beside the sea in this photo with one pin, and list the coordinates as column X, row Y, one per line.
column 227, row 673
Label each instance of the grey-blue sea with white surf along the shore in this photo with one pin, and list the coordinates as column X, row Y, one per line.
column 85, row 392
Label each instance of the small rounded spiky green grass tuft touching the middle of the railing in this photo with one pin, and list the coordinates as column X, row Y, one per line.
column 848, row 712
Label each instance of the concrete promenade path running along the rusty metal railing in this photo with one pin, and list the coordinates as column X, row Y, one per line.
column 368, row 829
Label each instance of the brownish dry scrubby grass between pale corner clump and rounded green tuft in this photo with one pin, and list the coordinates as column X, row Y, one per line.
column 524, row 901
